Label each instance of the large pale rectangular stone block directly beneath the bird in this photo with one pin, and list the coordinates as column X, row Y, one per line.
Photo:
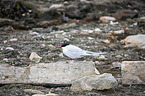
column 61, row 72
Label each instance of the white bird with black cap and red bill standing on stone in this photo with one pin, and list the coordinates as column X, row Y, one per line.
column 75, row 52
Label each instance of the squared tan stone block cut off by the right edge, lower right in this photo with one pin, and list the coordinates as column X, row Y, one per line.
column 133, row 72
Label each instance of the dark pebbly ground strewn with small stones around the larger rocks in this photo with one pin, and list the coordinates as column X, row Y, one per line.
column 24, row 32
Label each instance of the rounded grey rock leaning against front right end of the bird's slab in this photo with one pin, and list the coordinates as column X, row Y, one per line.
column 98, row 82
